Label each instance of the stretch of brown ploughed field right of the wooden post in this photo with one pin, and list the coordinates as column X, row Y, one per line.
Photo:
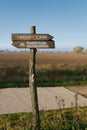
column 61, row 58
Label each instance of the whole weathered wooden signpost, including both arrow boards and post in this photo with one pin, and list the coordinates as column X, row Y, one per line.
column 33, row 41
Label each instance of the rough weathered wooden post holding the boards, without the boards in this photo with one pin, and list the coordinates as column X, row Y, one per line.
column 32, row 85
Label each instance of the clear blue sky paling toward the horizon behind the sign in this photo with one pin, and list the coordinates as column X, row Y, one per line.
column 65, row 20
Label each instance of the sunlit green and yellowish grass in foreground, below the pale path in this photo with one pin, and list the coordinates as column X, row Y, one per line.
column 63, row 119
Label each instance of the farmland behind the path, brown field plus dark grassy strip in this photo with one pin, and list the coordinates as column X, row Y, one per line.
column 52, row 69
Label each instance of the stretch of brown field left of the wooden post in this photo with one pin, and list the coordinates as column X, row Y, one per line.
column 13, row 59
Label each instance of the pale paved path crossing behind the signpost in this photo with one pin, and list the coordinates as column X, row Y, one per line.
column 13, row 100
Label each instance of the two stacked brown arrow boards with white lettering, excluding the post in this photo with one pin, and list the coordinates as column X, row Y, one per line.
column 33, row 41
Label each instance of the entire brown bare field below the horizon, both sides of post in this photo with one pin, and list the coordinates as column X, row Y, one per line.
column 22, row 59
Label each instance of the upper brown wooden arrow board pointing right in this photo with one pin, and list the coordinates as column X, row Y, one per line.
column 28, row 37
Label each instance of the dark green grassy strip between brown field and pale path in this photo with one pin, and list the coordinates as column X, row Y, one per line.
column 47, row 75
